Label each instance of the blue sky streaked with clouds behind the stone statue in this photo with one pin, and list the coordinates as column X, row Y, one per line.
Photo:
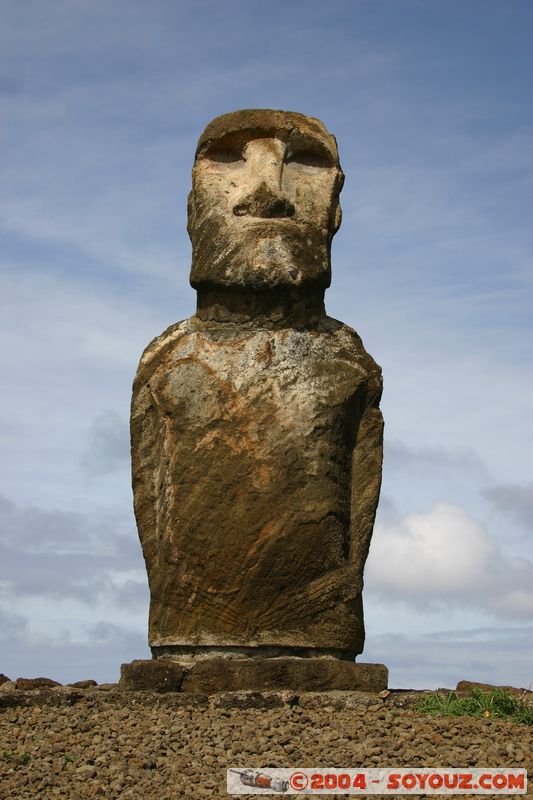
column 431, row 104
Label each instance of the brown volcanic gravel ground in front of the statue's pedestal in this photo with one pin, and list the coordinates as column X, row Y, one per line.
column 144, row 746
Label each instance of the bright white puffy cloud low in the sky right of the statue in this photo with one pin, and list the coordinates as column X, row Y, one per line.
column 445, row 558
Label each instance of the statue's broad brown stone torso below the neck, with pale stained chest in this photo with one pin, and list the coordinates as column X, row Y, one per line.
column 243, row 444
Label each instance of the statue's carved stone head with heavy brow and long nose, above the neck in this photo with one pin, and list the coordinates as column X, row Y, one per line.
column 264, row 204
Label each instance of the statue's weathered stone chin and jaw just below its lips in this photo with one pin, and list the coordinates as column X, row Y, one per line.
column 264, row 258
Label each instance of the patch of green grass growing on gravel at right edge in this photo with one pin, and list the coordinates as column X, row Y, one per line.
column 493, row 704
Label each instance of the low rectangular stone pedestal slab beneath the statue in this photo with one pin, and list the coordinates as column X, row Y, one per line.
column 216, row 674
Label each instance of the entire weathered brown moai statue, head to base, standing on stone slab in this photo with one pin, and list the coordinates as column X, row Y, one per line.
column 256, row 430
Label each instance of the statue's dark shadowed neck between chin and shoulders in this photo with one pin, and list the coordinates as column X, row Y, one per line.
column 281, row 306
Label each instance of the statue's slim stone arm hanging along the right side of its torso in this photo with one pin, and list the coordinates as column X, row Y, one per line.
column 366, row 470
